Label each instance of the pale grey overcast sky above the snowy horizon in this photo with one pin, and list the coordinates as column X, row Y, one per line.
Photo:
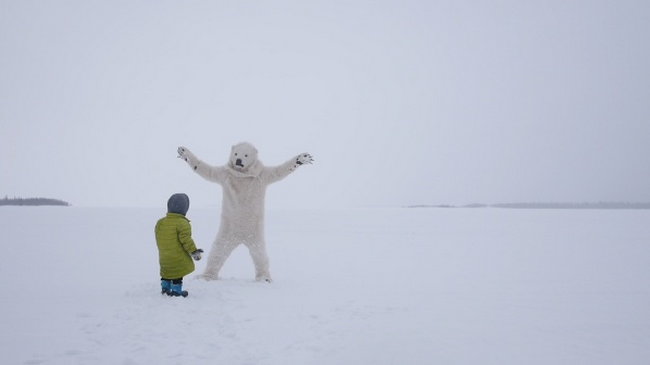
column 399, row 102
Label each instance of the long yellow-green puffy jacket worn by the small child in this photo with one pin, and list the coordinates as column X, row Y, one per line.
column 175, row 243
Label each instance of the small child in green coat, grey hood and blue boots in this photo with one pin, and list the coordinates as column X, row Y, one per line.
column 176, row 248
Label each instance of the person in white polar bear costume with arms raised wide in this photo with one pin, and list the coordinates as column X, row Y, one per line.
column 244, row 180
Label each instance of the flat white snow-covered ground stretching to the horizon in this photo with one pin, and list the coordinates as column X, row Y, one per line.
column 352, row 286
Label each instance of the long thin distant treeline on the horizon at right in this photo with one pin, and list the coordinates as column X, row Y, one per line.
column 600, row 205
